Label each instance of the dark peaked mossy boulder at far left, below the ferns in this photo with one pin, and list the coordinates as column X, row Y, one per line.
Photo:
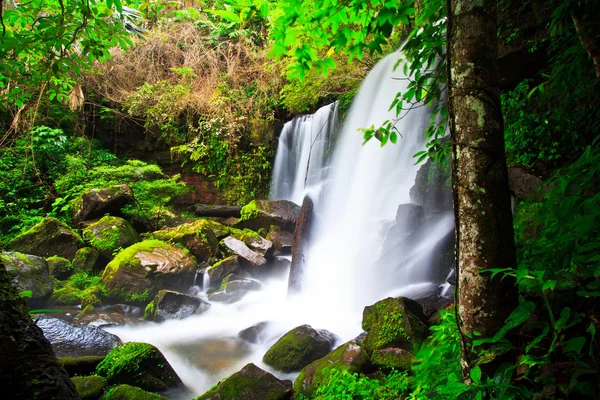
column 48, row 238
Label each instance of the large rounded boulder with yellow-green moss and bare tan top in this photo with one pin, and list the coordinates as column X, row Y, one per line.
column 137, row 273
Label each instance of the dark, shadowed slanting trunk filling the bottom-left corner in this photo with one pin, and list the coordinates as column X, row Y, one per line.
column 28, row 368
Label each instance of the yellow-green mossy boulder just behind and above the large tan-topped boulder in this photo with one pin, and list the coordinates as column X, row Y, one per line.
column 198, row 237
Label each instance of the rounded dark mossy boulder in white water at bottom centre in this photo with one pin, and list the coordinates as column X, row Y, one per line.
column 298, row 348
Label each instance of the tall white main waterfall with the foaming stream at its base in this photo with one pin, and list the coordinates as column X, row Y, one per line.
column 364, row 187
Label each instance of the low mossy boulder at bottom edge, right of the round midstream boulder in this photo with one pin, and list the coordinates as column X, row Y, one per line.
column 348, row 357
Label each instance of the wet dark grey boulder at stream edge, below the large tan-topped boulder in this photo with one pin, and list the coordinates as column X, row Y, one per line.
column 173, row 305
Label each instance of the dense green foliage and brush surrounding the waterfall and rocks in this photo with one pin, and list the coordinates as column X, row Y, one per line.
column 208, row 83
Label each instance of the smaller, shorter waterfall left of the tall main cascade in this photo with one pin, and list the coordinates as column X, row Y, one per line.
column 302, row 155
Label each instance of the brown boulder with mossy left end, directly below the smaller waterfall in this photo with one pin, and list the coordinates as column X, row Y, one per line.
column 264, row 214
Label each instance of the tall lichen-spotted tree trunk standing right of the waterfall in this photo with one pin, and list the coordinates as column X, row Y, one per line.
column 483, row 218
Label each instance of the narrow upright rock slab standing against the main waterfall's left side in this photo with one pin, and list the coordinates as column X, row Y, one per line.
column 300, row 244
